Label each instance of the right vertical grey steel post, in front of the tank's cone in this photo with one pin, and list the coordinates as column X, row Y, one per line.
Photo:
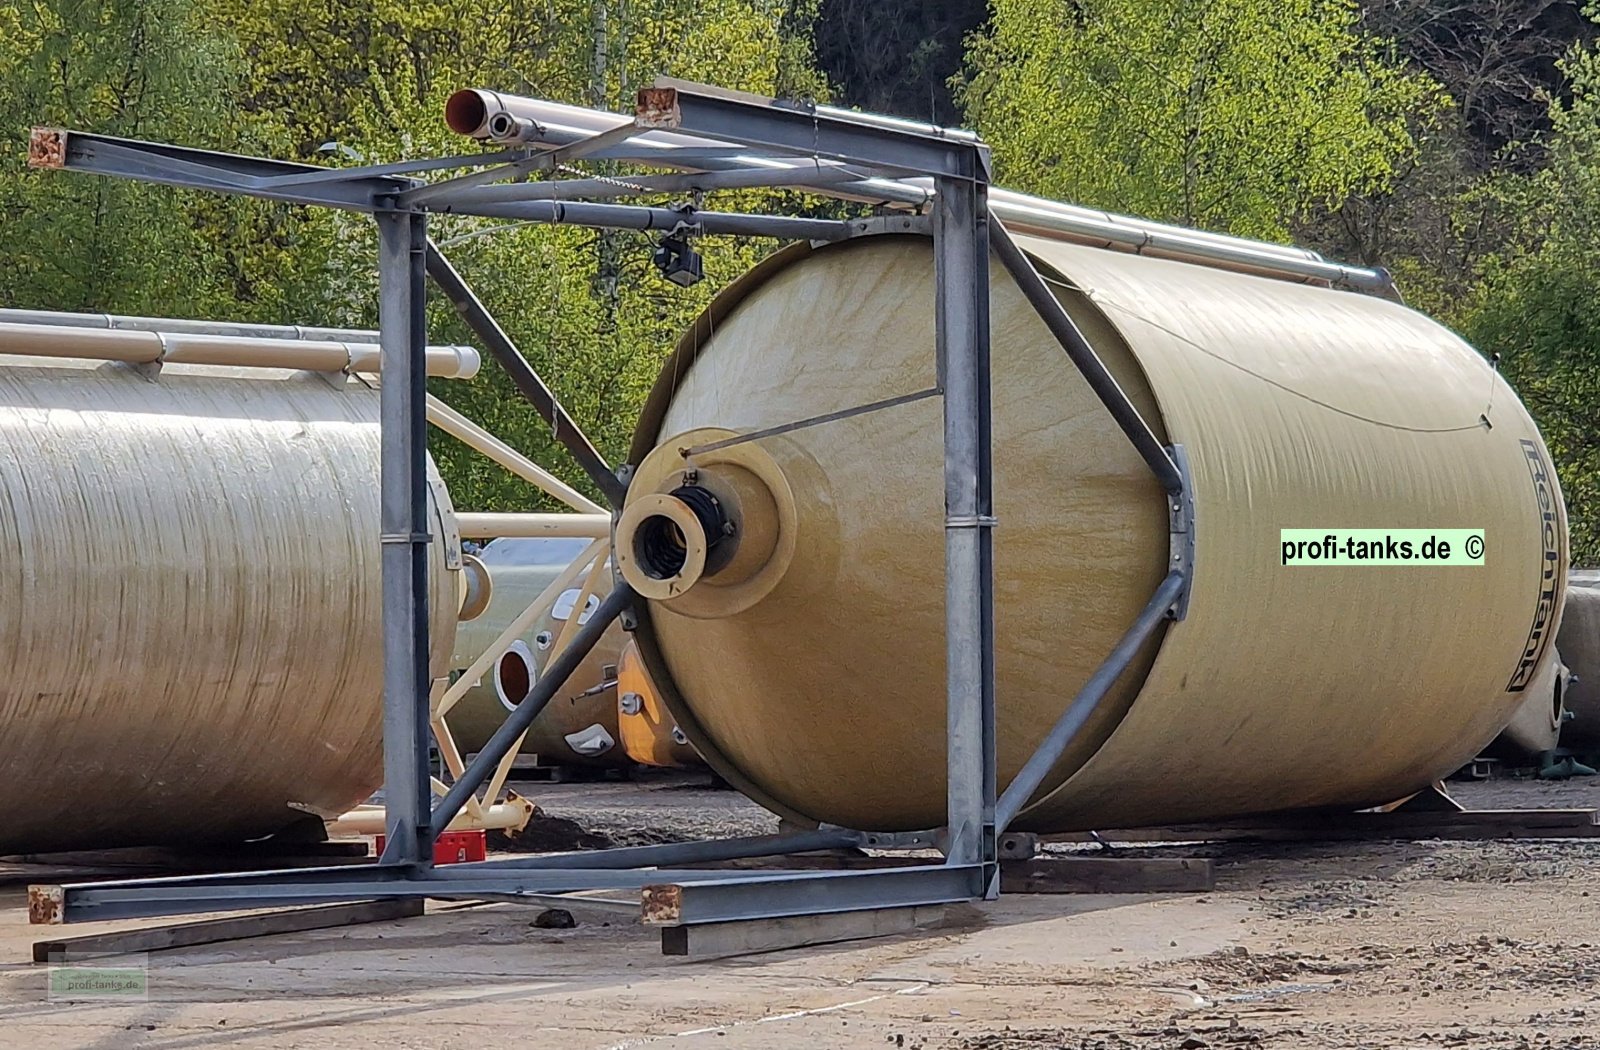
column 961, row 246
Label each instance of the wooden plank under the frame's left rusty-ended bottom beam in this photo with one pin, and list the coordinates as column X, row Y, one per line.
column 230, row 929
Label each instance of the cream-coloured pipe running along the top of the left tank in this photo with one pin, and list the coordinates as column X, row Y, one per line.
column 156, row 348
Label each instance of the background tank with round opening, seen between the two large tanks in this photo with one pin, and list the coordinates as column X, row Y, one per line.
column 580, row 724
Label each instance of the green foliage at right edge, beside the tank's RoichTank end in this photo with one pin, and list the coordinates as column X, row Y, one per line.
column 1540, row 302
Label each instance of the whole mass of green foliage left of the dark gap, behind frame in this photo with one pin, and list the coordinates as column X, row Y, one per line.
column 346, row 82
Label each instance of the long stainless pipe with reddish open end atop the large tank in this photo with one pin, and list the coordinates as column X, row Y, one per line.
column 553, row 124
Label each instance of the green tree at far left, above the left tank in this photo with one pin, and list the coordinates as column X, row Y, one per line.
column 135, row 68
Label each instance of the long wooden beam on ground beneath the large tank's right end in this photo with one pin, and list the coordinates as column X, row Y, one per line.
column 1399, row 825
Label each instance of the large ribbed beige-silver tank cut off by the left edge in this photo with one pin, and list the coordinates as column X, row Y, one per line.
column 193, row 603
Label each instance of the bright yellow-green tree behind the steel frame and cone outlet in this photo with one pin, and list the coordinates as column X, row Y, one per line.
column 367, row 82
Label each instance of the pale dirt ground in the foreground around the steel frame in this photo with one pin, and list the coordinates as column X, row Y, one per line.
column 1487, row 945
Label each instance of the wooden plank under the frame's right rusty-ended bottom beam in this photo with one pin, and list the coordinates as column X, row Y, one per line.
column 761, row 936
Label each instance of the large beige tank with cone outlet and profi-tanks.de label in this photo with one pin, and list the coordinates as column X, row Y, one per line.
column 799, row 639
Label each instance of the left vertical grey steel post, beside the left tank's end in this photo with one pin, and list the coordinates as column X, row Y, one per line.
column 402, row 337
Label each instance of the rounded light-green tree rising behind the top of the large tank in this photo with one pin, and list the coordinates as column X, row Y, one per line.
column 1223, row 114
